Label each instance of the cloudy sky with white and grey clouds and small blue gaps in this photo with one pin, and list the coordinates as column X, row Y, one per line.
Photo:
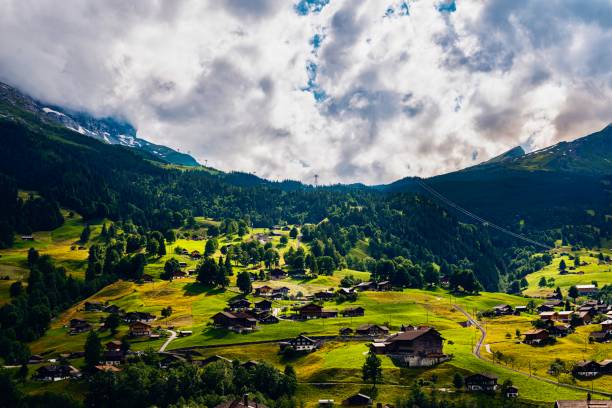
column 352, row 90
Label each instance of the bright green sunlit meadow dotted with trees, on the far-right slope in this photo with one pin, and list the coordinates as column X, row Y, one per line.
column 592, row 271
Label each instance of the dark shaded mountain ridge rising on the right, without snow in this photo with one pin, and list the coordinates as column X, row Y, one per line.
column 565, row 184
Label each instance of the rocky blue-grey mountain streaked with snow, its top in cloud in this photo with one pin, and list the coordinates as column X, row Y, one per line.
column 108, row 130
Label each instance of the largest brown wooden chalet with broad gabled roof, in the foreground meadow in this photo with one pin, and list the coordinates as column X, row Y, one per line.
column 415, row 347
